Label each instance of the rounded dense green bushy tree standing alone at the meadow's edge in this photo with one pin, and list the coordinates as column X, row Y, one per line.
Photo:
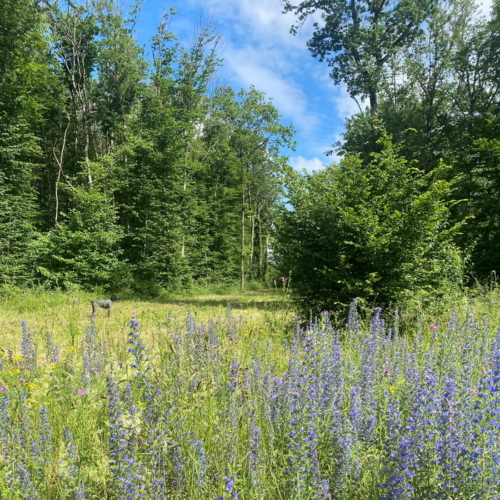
column 378, row 231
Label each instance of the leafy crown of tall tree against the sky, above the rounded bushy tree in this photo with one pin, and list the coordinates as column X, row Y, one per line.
column 358, row 38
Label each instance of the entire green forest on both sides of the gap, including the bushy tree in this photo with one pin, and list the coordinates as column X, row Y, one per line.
column 122, row 169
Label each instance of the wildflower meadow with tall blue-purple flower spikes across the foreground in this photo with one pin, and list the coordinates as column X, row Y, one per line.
column 208, row 409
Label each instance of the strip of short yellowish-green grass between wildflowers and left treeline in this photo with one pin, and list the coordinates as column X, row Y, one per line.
column 65, row 316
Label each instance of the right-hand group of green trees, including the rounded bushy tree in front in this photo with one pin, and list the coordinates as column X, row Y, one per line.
column 413, row 209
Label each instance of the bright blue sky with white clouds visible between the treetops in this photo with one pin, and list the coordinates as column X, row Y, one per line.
column 258, row 49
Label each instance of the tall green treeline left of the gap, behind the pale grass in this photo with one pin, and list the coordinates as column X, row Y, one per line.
column 121, row 167
